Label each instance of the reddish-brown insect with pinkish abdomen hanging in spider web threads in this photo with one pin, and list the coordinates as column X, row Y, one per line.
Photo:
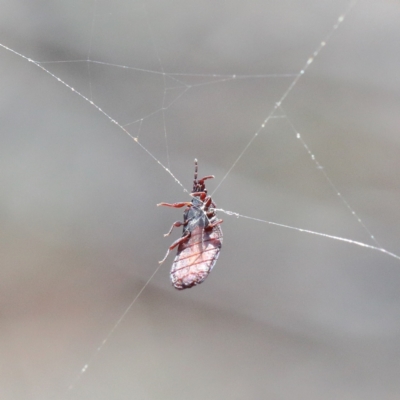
column 201, row 240
